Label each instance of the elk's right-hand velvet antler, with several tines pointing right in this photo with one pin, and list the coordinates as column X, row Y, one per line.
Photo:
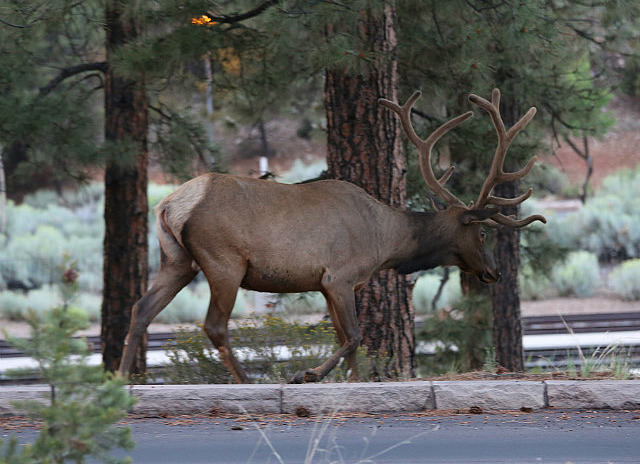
column 497, row 174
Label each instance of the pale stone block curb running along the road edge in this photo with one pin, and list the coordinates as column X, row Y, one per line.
column 412, row 396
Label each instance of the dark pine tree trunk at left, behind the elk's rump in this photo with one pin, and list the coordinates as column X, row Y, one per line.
column 126, row 207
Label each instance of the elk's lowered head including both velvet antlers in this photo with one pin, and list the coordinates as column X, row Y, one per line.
column 465, row 223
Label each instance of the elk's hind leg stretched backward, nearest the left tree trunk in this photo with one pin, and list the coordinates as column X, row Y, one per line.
column 172, row 277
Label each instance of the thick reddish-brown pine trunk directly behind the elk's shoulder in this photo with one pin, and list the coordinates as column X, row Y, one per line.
column 364, row 147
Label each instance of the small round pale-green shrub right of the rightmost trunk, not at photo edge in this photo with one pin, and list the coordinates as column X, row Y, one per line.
column 578, row 276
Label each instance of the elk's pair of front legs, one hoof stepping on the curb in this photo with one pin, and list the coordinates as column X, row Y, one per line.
column 342, row 308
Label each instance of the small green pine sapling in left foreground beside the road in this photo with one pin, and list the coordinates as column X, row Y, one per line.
column 79, row 414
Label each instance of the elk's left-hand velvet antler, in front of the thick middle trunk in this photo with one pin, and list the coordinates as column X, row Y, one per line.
column 424, row 146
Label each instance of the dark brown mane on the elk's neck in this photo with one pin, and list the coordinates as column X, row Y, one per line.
column 429, row 240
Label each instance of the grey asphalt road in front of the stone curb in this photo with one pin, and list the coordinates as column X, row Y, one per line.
column 539, row 437
